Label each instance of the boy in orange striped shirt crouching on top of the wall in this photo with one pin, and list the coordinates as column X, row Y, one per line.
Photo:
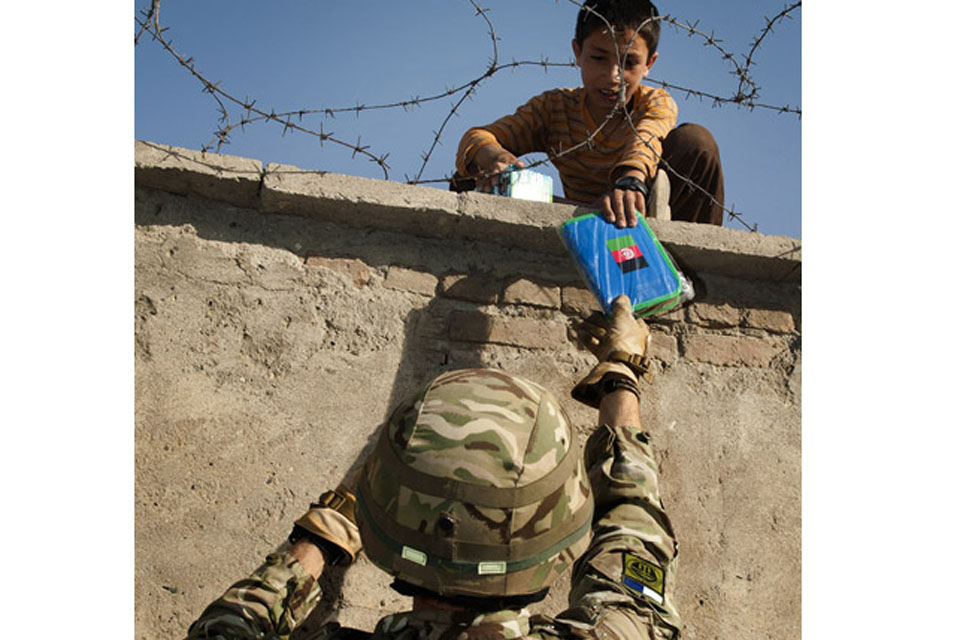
column 614, row 171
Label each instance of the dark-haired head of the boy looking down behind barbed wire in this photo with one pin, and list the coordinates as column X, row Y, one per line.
column 600, row 53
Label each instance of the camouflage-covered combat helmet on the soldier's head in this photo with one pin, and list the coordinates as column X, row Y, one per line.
column 476, row 487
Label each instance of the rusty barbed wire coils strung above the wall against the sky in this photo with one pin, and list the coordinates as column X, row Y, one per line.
column 745, row 96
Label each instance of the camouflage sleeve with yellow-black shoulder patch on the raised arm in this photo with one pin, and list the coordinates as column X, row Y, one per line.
column 623, row 585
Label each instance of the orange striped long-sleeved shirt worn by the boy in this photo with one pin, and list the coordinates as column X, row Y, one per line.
column 558, row 119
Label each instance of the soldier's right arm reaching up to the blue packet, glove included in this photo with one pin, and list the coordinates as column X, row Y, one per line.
column 623, row 585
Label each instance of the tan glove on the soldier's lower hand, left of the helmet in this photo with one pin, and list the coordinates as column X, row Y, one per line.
column 331, row 525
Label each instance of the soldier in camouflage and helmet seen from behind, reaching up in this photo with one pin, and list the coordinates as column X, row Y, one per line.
column 475, row 499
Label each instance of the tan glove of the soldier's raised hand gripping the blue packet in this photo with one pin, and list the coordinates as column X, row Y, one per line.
column 620, row 344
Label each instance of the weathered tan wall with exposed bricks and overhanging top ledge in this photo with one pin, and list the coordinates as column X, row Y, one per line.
column 281, row 313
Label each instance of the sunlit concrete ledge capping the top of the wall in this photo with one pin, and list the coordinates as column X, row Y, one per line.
column 432, row 212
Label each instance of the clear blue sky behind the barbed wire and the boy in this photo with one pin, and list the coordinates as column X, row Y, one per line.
column 310, row 55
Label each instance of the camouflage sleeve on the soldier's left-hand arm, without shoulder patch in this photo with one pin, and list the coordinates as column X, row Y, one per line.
column 268, row 605
